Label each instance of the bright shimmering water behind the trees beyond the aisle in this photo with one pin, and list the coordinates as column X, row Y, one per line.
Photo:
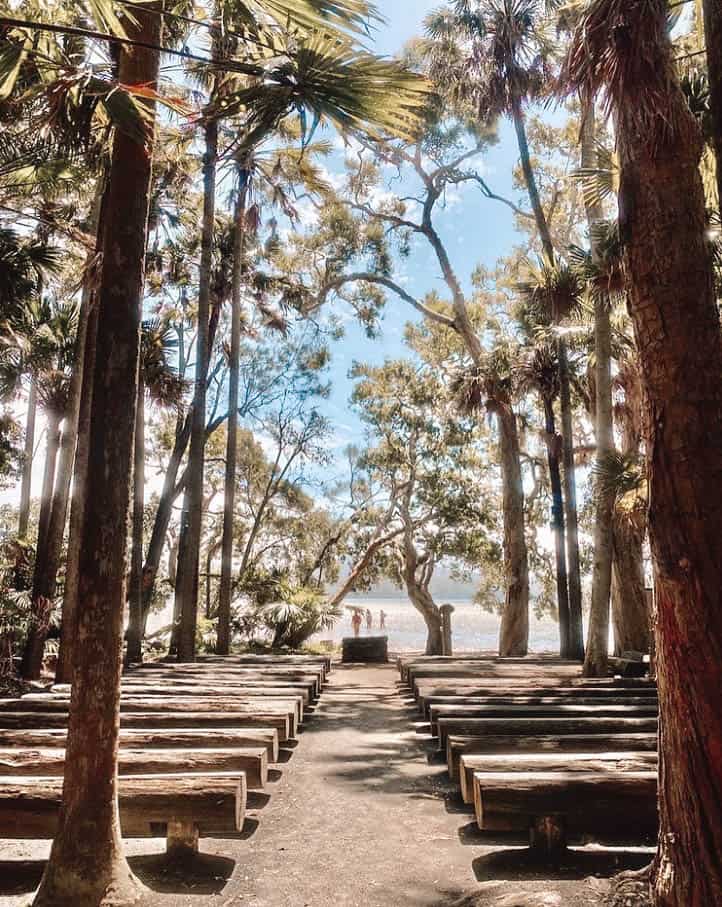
column 473, row 629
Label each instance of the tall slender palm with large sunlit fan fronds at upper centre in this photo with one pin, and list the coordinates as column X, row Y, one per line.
column 336, row 83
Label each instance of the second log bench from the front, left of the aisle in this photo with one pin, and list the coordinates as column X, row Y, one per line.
column 46, row 761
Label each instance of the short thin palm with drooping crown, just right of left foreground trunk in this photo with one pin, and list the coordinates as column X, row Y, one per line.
column 160, row 383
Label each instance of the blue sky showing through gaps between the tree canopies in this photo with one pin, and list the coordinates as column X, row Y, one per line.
column 474, row 229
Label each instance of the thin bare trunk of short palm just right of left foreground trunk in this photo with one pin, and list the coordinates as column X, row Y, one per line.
column 134, row 648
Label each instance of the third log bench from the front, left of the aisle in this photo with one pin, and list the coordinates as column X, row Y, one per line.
column 160, row 738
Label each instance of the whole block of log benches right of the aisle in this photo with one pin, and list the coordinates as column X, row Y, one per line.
column 536, row 748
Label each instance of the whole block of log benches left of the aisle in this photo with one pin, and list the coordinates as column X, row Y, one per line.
column 194, row 739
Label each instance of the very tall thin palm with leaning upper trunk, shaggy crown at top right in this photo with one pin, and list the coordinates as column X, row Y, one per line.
column 495, row 57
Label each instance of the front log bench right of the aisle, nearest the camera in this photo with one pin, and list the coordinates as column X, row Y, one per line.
column 551, row 806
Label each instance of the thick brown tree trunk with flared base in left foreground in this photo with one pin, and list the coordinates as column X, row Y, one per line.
column 87, row 866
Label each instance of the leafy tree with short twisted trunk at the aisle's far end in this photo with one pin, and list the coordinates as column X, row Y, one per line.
column 425, row 454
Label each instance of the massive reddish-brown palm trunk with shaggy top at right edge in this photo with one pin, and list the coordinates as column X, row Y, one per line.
column 623, row 49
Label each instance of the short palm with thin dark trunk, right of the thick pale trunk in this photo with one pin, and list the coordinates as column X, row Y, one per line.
column 539, row 371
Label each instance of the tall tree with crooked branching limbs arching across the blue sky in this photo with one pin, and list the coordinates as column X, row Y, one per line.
column 349, row 257
